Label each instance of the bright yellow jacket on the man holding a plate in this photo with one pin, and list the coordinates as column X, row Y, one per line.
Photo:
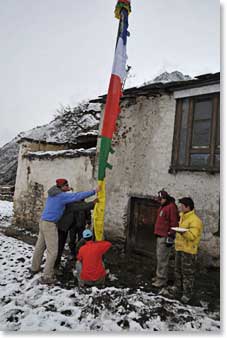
column 189, row 240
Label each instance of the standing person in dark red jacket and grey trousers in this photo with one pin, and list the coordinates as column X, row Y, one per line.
column 167, row 217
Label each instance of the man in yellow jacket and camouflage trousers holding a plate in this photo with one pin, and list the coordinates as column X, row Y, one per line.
column 186, row 246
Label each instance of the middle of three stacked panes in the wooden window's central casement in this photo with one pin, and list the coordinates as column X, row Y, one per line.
column 201, row 133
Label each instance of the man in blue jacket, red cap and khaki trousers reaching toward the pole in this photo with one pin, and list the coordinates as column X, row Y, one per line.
column 58, row 197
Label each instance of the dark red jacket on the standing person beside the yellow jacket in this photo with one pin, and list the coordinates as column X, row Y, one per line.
column 167, row 217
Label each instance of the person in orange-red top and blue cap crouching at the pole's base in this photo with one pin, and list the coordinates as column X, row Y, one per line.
column 89, row 265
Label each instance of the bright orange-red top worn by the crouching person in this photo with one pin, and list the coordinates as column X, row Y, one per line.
column 90, row 255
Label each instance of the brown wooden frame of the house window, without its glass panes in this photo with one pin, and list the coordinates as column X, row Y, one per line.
column 211, row 150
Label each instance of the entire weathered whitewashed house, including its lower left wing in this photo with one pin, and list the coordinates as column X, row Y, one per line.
column 167, row 136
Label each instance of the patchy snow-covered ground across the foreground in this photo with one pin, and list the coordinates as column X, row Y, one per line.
column 26, row 305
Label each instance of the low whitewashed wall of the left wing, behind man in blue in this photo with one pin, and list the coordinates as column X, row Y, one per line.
column 36, row 175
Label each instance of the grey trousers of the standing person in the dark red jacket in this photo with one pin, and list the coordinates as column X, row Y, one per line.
column 162, row 255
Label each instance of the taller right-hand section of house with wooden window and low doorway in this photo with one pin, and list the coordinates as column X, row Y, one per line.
column 168, row 136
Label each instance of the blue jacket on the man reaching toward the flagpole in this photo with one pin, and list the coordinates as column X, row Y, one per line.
column 56, row 201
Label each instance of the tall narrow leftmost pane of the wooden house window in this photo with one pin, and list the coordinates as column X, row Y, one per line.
column 183, row 131
